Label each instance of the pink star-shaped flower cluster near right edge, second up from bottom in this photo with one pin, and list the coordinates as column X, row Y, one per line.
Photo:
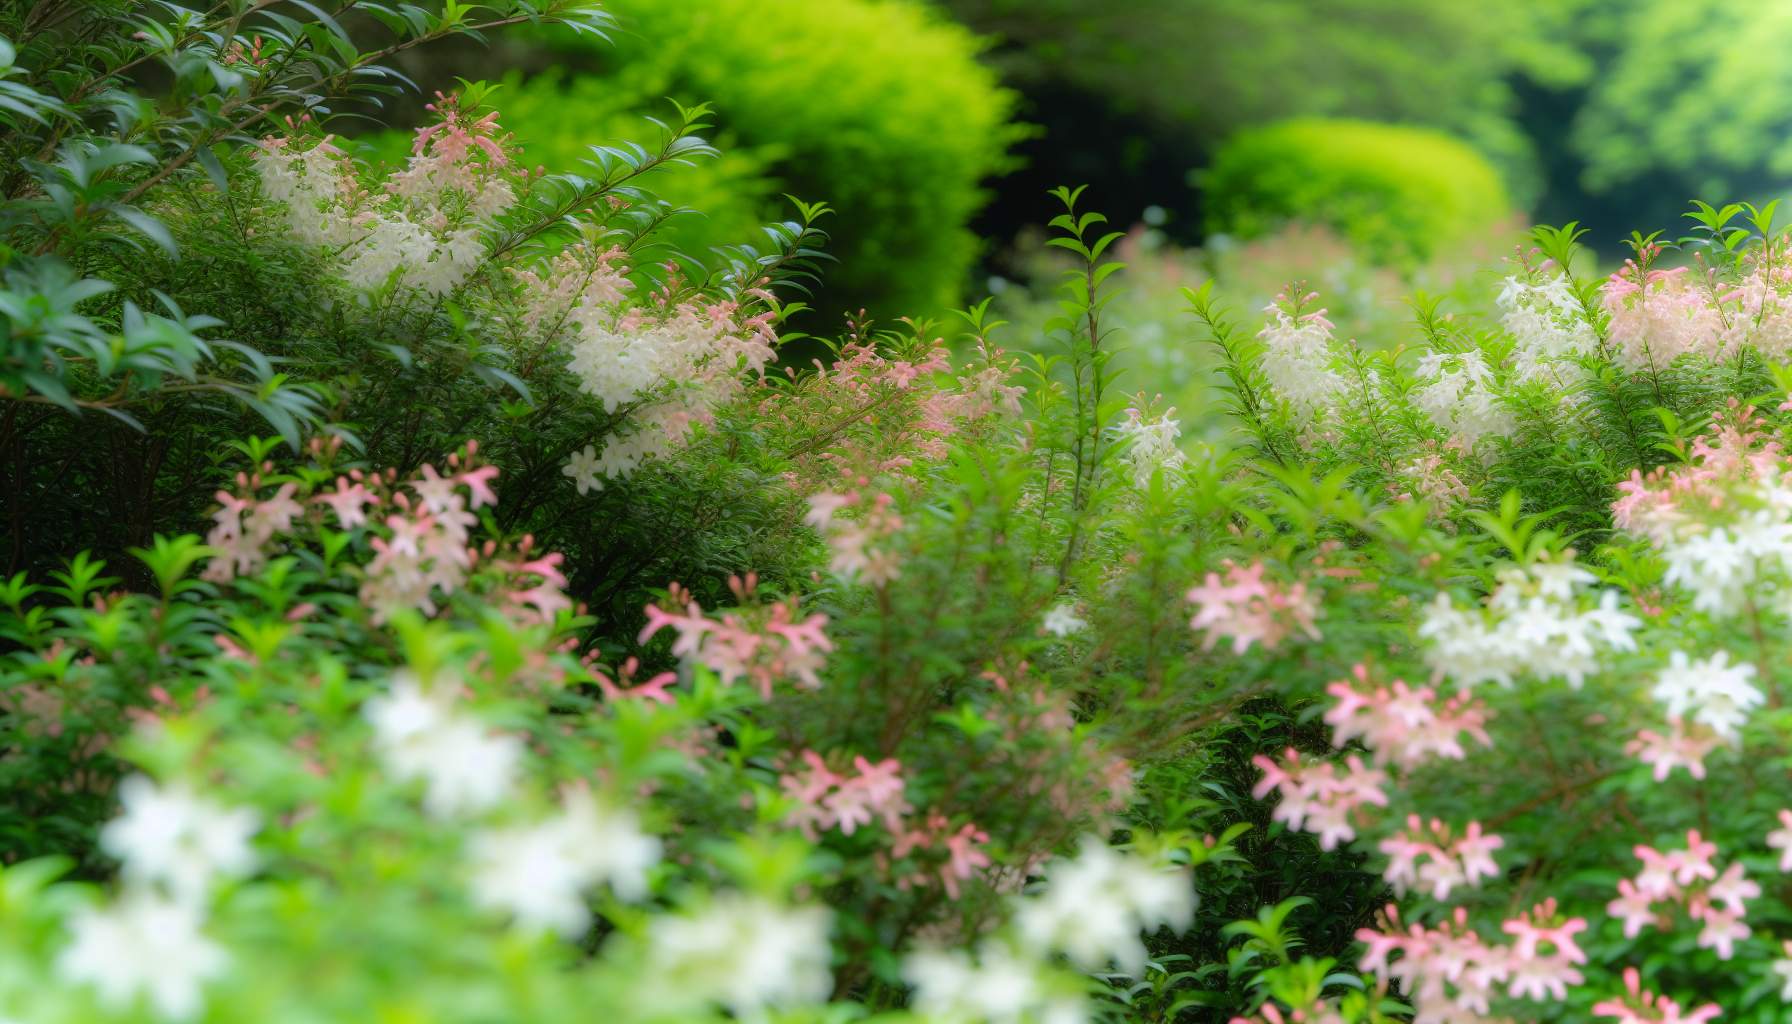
column 1691, row 880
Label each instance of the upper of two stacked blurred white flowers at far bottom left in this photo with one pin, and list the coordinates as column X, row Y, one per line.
column 168, row 835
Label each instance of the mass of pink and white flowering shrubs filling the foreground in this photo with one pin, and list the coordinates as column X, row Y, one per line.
column 1443, row 688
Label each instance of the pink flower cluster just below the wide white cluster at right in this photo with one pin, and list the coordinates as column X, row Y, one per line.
column 1400, row 724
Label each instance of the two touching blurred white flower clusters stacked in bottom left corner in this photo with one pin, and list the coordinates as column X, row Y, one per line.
column 148, row 944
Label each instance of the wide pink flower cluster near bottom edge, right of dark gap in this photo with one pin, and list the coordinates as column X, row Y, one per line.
column 1452, row 975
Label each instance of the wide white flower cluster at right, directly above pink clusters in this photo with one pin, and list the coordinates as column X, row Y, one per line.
column 1537, row 623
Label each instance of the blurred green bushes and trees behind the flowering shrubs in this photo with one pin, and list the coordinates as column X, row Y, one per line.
column 935, row 128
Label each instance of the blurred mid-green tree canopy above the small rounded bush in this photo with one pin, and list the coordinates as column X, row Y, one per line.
column 1210, row 67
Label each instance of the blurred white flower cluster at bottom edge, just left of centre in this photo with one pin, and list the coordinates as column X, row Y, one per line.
column 745, row 953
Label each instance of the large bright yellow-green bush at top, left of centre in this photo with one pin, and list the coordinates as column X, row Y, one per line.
column 875, row 107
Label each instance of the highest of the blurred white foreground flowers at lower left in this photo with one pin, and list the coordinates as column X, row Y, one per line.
column 465, row 768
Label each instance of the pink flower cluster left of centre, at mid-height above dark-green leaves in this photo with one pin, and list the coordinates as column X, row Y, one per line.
column 759, row 643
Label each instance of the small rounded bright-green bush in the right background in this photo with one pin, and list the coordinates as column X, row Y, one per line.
column 1399, row 193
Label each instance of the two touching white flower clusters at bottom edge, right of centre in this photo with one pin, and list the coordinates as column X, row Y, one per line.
column 1092, row 910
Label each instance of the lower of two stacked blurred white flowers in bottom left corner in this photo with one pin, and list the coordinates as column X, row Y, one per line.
column 142, row 946
